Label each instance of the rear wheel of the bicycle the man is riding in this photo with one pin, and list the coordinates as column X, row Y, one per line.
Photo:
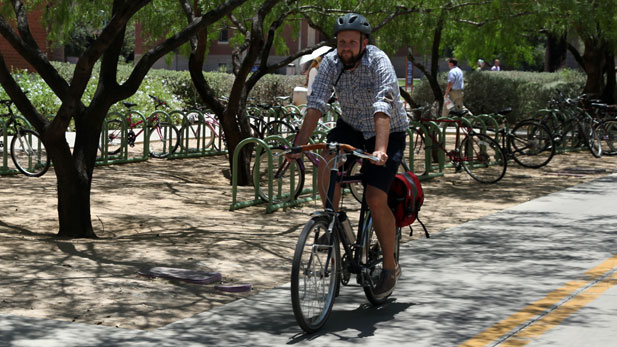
column 372, row 257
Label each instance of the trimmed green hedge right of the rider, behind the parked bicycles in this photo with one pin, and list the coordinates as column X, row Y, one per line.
column 525, row 92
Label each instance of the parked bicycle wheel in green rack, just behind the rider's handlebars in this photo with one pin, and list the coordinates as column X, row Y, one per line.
column 288, row 177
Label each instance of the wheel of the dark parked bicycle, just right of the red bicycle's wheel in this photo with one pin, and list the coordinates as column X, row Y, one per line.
column 531, row 144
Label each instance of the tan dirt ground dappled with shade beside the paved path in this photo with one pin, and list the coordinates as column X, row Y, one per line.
column 176, row 214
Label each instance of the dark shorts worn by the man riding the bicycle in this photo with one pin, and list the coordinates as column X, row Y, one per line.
column 378, row 176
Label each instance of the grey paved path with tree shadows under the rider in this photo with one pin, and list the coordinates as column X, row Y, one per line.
column 542, row 273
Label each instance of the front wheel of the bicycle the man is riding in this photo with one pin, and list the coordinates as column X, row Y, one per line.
column 314, row 274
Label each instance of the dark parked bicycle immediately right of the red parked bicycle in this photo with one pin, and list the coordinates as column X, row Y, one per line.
column 528, row 143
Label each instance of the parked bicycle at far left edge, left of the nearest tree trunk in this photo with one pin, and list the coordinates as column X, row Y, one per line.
column 27, row 151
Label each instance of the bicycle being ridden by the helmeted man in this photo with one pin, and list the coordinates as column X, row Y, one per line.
column 318, row 268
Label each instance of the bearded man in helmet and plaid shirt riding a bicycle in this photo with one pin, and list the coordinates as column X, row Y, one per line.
column 373, row 119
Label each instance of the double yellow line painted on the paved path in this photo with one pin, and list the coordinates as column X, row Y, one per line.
column 552, row 315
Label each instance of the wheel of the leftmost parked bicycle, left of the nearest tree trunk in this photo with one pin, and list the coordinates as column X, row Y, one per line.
column 29, row 153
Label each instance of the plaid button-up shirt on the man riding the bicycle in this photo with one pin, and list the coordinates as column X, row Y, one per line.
column 372, row 87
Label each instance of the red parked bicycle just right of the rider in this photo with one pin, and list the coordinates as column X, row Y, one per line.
column 478, row 154
